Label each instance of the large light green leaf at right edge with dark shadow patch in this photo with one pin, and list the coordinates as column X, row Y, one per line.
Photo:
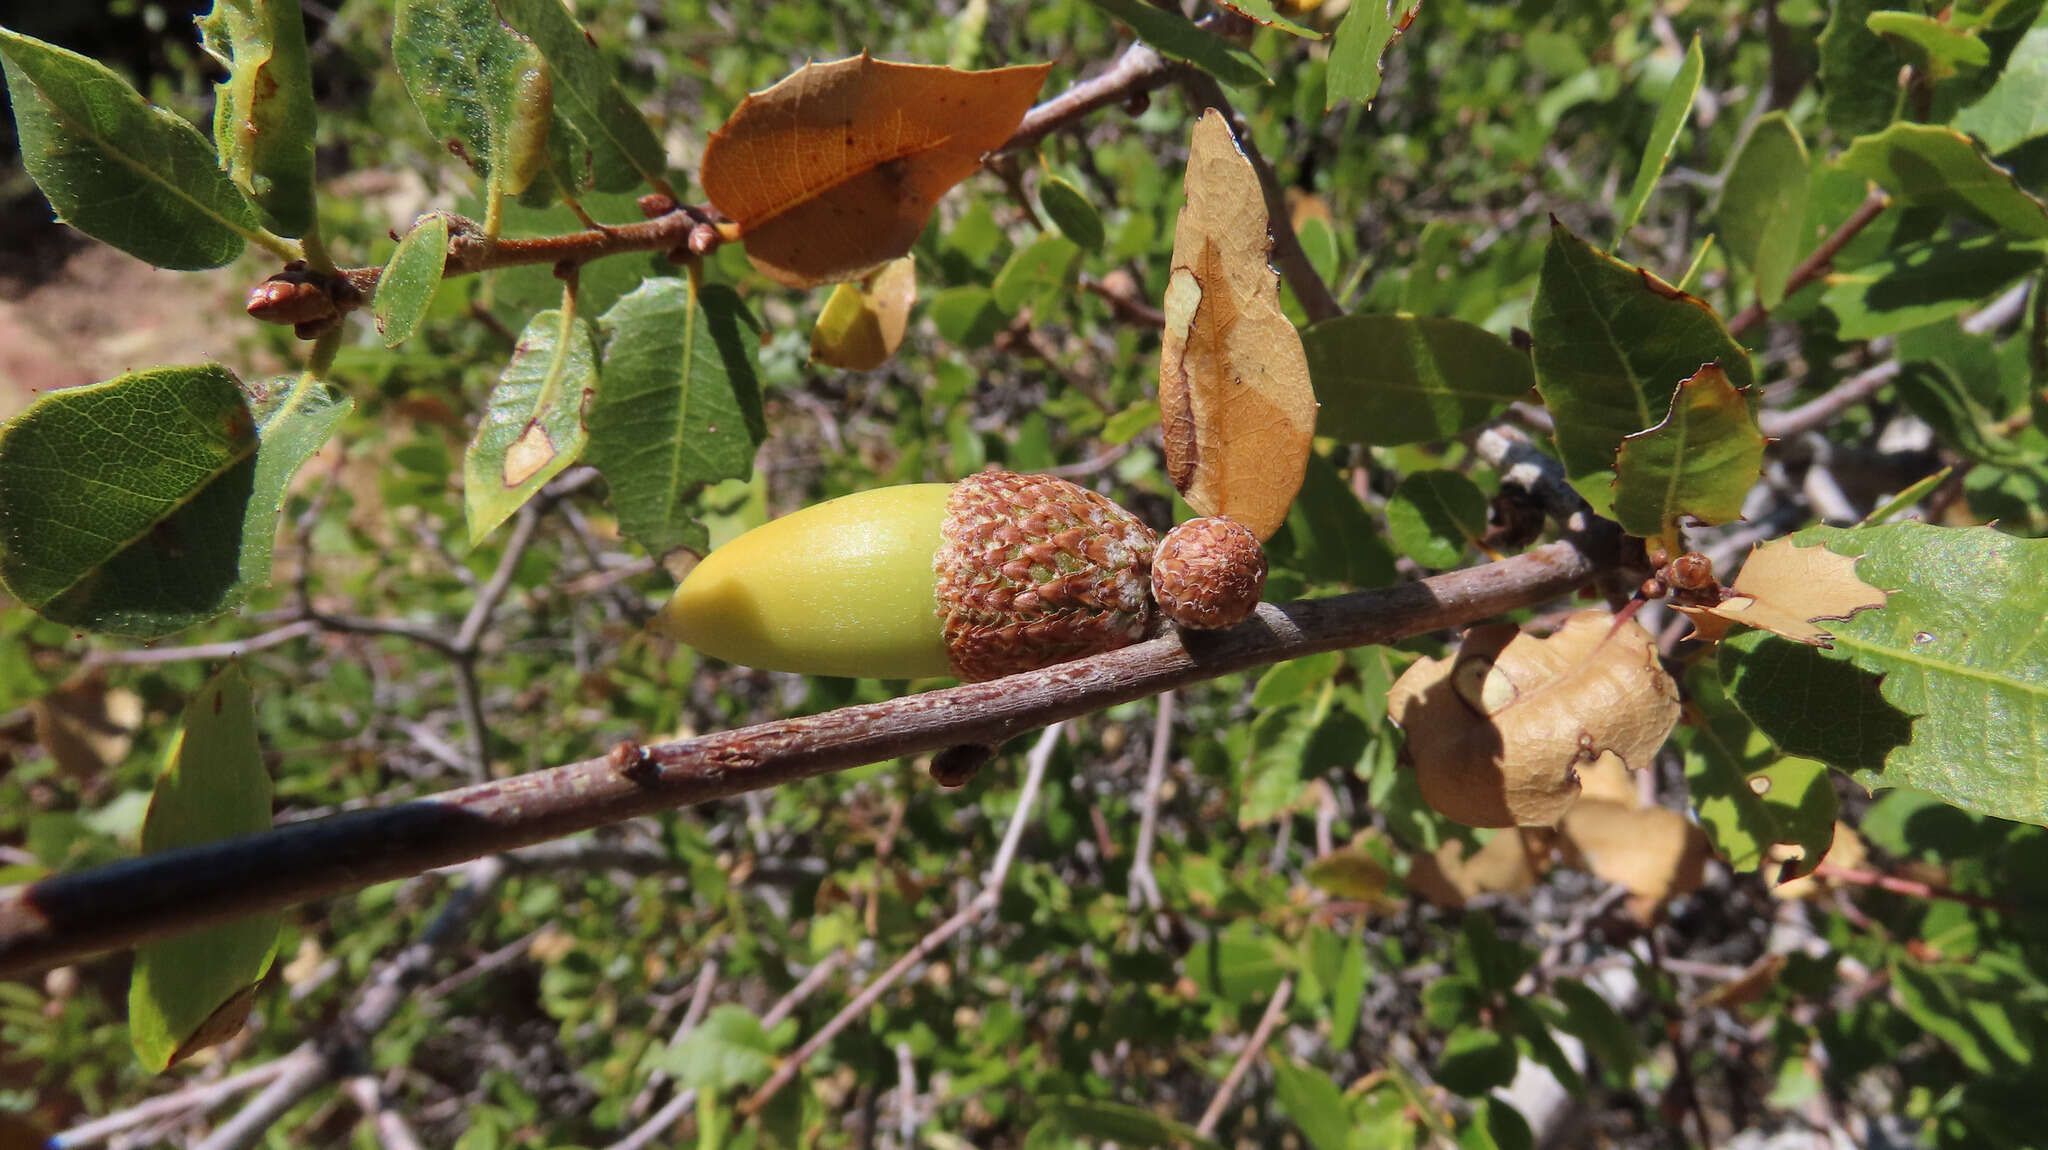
column 1957, row 654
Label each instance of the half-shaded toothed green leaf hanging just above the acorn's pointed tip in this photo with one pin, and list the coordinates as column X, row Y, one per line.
column 679, row 406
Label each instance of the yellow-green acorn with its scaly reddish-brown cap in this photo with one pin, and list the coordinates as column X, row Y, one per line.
column 984, row 578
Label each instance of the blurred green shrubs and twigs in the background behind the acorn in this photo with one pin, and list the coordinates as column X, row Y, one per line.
column 1428, row 1004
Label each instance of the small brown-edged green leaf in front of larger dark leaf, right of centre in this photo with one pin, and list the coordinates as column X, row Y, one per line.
column 1699, row 463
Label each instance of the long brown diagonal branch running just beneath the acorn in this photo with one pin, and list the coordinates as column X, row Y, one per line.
column 120, row 905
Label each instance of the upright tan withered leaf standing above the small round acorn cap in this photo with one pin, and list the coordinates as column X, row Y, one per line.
column 1236, row 406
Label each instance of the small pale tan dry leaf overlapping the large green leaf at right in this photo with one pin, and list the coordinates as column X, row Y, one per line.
column 1787, row 588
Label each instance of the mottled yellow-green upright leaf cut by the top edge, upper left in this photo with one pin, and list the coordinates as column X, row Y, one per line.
column 263, row 114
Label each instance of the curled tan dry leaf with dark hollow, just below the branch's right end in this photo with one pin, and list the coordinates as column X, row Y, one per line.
column 1500, row 732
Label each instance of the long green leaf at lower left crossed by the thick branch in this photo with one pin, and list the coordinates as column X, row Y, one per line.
column 214, row 787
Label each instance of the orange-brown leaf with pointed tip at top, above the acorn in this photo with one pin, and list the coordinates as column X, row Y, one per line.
column 835, row 171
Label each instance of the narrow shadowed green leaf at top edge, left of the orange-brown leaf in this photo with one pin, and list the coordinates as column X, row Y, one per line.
column 624, row 148
